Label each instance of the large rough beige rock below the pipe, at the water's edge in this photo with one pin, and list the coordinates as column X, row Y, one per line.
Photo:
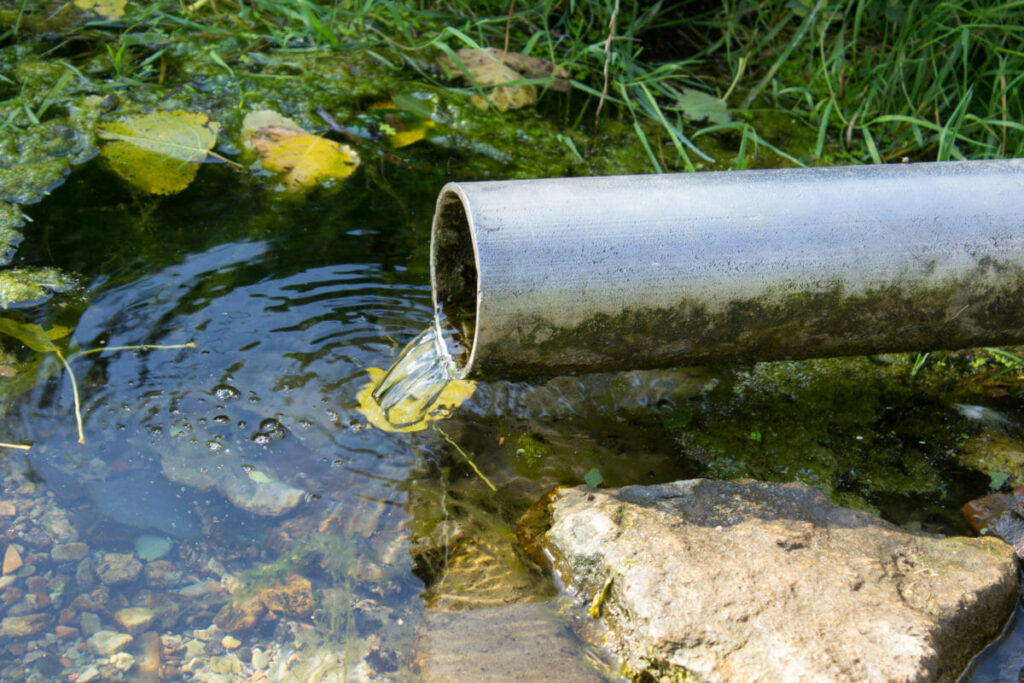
column 731, row 581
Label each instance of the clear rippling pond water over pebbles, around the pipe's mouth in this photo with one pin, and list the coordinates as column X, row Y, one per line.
column 262, row 529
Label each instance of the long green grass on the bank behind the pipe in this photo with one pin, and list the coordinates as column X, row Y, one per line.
column 805, row 81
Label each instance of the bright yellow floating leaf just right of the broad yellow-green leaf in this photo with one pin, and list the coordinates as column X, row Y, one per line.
column 308, row 159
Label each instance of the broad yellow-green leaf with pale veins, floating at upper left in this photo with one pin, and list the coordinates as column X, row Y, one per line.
column 159, row 153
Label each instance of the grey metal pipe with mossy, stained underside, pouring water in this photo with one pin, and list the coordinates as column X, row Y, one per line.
column 539, row 278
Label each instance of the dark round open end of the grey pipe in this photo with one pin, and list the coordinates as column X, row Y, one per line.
column 454, row 280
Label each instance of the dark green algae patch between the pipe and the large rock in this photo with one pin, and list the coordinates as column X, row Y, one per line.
column 857, row 430
